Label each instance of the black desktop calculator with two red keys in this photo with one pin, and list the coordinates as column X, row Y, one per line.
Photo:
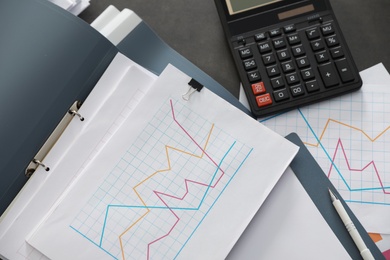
column 288, row 53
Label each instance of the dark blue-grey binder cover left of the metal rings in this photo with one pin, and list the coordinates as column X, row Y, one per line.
column 48, row 59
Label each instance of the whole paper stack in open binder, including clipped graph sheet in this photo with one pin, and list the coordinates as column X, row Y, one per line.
column 147, row 174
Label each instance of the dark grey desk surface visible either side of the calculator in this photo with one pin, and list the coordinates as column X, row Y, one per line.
column 193, row 29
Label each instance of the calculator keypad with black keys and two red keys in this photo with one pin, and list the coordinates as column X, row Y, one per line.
column 290, row 63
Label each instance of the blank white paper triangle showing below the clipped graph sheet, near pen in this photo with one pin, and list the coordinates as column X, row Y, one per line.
column 288, row 226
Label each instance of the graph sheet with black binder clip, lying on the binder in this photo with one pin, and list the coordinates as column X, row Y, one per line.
column 180, row 179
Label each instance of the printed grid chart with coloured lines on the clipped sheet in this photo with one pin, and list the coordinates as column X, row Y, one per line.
column 162, row 189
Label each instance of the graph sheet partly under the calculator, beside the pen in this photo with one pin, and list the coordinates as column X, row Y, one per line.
column 349, row 137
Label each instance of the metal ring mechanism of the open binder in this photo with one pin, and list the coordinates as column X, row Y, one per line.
column 37, row 161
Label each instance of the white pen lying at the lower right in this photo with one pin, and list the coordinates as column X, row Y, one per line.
column 364, row 251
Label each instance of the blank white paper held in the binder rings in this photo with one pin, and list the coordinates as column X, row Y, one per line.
column 77, row 146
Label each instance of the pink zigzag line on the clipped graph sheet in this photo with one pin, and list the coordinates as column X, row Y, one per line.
column 186, row 184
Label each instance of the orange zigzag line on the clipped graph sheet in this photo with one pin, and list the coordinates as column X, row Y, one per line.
column 167, row 148
